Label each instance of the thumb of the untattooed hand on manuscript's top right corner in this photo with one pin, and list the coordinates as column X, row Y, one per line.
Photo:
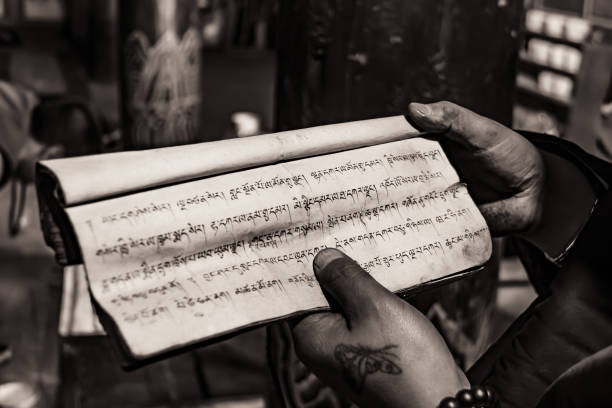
column 460, row 124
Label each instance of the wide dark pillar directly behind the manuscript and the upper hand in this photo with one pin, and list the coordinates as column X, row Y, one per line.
column 341, row 60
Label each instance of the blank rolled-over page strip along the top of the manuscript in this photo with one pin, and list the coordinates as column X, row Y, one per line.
column 95, row 177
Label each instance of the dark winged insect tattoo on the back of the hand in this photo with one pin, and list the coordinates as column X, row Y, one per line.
column 360, row 361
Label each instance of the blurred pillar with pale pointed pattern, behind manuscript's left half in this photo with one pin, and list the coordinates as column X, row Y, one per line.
column 160, row 47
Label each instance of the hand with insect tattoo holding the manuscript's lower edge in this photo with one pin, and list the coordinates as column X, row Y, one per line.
column 376, row 349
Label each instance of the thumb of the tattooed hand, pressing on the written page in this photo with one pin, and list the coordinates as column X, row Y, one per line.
column 355, row 291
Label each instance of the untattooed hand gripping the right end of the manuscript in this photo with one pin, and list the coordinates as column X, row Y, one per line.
column 504, row 171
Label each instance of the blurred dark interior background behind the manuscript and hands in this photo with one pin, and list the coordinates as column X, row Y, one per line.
column 92, row 76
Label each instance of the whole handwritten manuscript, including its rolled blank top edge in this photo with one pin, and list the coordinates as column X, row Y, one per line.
column 180, row 257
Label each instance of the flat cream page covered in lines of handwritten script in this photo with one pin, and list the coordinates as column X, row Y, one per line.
column 183, row 263
